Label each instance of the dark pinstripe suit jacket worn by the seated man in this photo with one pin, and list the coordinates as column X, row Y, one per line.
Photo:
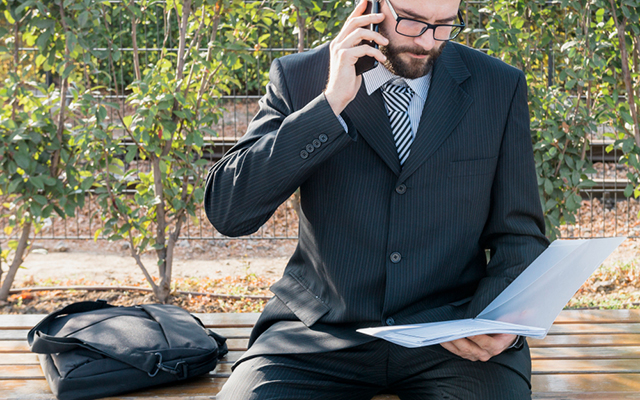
column 468, row 185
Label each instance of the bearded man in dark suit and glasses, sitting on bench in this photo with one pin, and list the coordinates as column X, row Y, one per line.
column 408, row 174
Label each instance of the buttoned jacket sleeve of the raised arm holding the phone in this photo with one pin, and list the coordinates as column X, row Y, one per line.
column 281, row 149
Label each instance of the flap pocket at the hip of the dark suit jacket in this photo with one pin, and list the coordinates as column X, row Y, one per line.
column 292, row 291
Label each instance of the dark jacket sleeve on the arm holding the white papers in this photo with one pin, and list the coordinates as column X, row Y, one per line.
column 514, row 232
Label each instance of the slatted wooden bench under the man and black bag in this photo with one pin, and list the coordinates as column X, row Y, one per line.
column 587, row 355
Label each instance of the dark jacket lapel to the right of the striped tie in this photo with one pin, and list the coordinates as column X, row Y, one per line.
column 446, row 104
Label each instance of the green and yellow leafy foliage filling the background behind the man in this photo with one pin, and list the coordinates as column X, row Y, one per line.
column 126, row 93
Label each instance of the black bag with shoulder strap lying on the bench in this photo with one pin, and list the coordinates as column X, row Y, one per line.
column 92, row 349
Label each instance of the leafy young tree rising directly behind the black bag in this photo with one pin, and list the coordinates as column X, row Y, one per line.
column 175, row 102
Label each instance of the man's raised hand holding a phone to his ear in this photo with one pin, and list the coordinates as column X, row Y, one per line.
column 345, row 50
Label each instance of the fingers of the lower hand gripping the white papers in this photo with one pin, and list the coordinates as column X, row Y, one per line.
column 480, row 347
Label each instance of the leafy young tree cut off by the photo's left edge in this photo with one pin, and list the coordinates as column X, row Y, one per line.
column 39, row 160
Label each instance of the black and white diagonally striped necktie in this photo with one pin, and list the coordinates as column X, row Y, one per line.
column 398, row 99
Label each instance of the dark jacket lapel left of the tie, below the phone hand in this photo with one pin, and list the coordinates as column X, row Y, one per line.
column 368, row 114
